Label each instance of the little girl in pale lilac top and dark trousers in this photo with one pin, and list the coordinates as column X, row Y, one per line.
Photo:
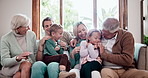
column 89, row 54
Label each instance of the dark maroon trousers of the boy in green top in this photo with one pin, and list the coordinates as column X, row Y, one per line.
column 62, row 59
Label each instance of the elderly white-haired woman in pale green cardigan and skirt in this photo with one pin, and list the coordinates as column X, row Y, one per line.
column 18, row 48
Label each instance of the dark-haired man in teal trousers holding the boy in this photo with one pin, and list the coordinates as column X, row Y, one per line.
column 39, row 68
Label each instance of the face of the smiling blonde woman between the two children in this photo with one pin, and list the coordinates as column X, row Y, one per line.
column 82, row 31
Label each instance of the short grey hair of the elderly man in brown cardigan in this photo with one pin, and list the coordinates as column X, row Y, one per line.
column 111, row 25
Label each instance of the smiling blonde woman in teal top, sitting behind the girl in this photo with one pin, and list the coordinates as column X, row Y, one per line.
column 80, row 32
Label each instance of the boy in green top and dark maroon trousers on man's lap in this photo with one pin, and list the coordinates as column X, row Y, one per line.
column 54, row 53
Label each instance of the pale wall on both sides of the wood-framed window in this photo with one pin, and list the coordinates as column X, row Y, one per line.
column 10, row 7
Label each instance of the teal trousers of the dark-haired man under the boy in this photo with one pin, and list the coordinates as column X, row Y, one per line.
column 39, row 69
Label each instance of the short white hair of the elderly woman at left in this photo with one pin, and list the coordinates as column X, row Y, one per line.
column 19, row 20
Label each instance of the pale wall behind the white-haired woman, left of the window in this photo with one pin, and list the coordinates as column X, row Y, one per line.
column 10, row 7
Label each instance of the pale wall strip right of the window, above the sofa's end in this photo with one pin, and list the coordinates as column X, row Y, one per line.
column 134, row 19
